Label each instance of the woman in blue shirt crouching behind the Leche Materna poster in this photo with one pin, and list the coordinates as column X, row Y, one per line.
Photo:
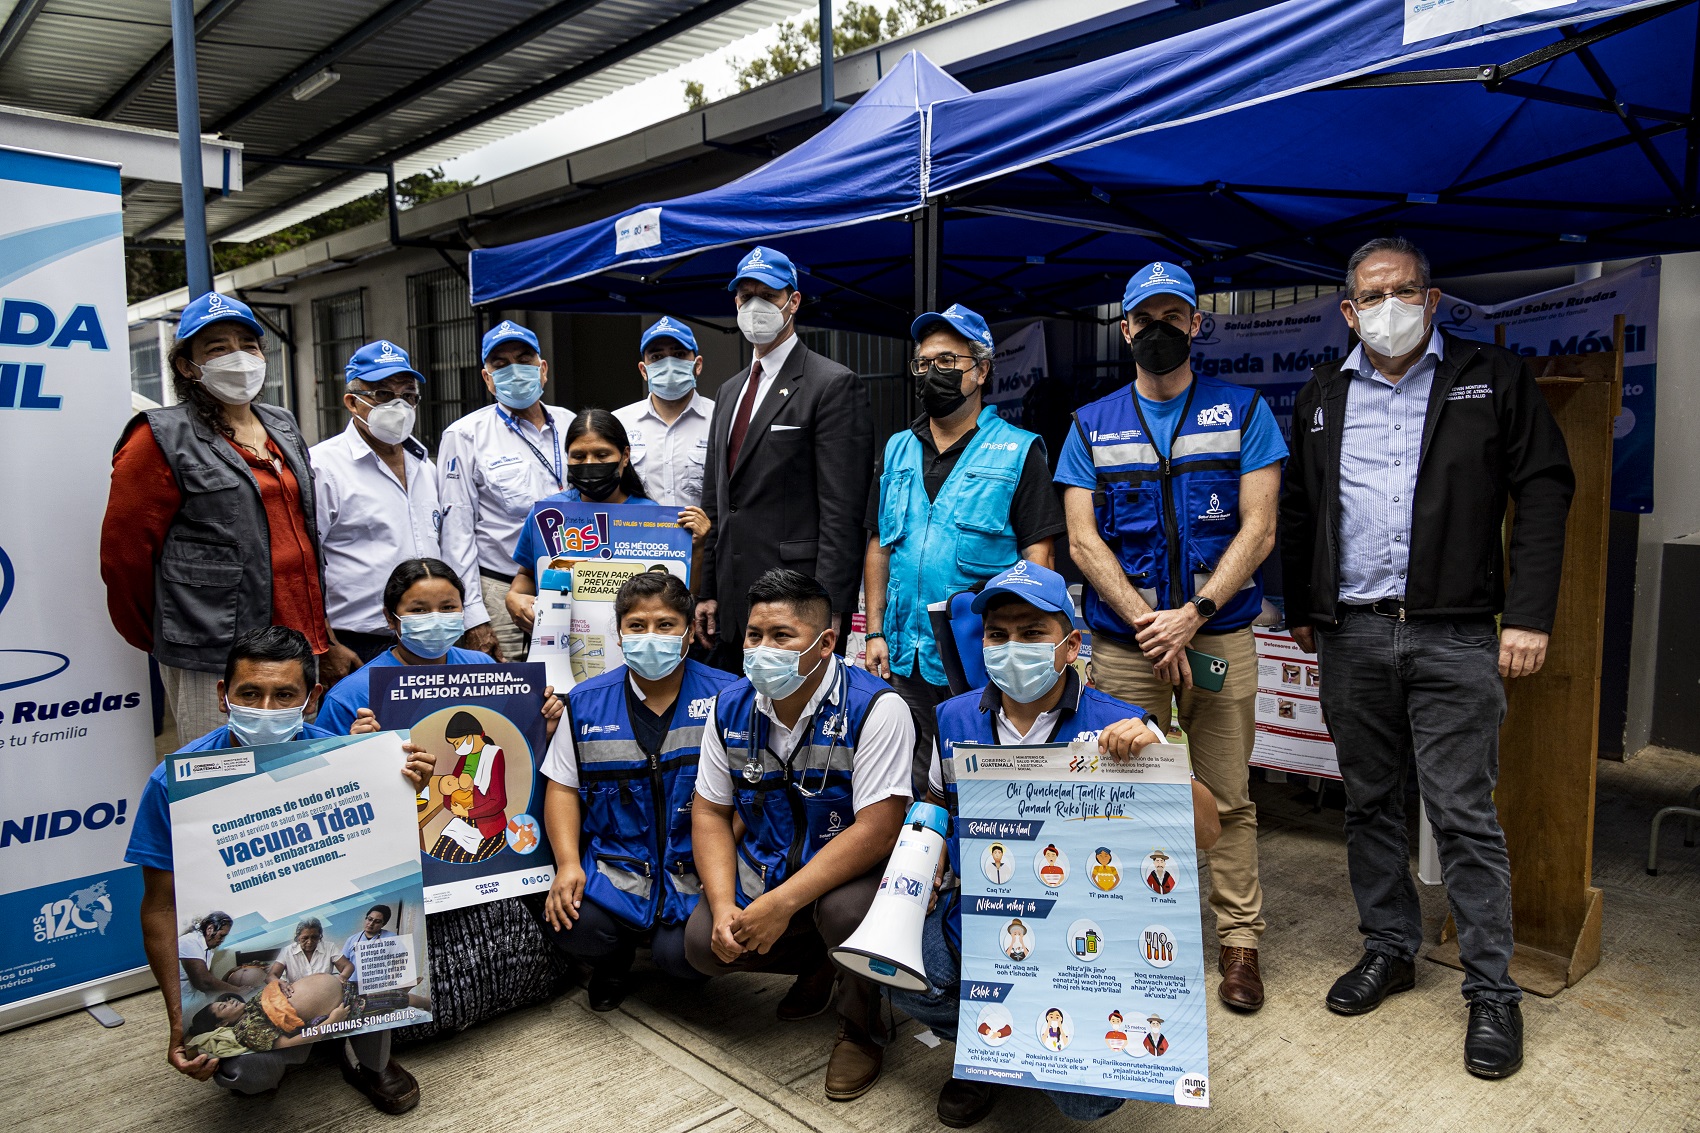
column 492, row 959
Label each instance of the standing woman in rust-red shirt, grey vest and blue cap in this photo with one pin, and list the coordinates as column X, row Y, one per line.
column 210, row 530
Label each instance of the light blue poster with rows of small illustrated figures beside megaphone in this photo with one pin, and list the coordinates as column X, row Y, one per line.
column 1082, row 945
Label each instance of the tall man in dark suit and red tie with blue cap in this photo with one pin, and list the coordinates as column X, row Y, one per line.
column 791, row 457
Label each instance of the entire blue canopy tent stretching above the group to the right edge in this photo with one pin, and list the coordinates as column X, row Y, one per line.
column 1257, row 151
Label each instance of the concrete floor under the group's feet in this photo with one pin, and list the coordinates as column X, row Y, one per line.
column 1621, row 1052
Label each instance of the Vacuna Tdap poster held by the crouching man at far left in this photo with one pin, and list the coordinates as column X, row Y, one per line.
column 298, row 894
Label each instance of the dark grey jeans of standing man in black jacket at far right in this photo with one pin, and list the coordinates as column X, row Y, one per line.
column 1427, row 690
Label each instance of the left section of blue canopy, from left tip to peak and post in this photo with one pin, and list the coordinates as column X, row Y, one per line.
column 676, row 256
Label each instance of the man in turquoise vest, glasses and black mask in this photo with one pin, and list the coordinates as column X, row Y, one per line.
column 958, row 498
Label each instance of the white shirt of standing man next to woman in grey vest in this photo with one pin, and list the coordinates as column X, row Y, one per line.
column 370, row 521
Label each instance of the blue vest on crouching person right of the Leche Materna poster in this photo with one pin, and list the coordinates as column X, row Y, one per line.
column 638, row 806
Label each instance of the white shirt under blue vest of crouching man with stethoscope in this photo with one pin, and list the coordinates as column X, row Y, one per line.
column 880, row 766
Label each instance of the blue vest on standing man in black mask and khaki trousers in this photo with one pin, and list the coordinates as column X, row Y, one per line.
column 1169, row 521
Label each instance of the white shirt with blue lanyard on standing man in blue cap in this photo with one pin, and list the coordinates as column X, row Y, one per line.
column 489, row 479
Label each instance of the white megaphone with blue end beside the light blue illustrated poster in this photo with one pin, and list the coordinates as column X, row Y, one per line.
column 887, row 948
